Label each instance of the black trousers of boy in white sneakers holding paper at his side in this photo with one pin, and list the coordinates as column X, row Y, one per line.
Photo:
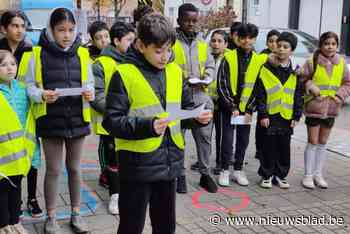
column 226, row 141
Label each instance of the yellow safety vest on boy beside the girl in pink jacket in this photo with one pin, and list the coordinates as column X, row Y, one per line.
column 280, row 98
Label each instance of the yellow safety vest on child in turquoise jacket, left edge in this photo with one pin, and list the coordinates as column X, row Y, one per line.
column 17, row 143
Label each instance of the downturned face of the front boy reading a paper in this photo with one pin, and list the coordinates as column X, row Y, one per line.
column 157, row 56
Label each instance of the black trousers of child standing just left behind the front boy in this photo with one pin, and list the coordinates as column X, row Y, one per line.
column 109, row 162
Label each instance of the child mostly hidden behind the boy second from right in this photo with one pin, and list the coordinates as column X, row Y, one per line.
column 271, row 43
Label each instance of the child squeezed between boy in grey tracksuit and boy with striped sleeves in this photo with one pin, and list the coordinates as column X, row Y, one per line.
column 218, row 44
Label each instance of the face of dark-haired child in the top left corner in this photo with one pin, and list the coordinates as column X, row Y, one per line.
column 15, row 31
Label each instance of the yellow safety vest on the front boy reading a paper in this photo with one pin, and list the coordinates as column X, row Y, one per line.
column 144, row 103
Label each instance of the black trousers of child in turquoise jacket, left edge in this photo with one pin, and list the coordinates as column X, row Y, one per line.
column 10, row 201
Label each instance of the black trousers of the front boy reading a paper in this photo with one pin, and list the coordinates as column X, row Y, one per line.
column 134, row 198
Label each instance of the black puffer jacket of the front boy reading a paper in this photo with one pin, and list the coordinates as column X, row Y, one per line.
column 165, row 163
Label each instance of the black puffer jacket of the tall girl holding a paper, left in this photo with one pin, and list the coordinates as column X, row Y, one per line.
column 61, row 69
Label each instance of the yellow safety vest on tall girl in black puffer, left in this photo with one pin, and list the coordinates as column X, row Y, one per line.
column 39, row 109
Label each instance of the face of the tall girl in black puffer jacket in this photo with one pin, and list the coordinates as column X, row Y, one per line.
column 64, row 33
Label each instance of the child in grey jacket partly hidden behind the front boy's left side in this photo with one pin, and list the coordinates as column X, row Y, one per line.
column 122, row 36
